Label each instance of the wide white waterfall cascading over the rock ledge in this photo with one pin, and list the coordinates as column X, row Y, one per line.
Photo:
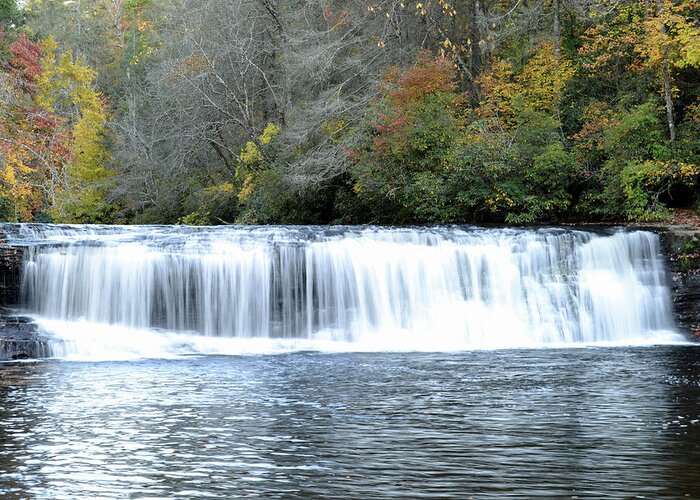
column 181, row 289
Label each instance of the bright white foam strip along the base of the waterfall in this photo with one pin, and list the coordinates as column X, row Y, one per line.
column 85, row 341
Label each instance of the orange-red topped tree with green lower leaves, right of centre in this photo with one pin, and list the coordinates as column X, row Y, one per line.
column 402, row 159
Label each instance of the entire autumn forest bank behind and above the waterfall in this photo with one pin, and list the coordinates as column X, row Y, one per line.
column 348, row 111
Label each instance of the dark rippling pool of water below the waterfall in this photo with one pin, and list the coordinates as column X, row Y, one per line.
column 587, row 423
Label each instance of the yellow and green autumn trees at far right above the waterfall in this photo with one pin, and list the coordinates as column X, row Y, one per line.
column 633, row 58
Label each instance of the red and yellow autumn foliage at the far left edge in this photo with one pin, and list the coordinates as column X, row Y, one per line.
column 52, row 124
